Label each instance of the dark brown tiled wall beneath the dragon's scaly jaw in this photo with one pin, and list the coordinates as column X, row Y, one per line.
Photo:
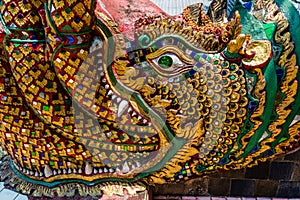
column 278, row 178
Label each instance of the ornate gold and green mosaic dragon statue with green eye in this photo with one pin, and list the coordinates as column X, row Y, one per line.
column 96, row 93
